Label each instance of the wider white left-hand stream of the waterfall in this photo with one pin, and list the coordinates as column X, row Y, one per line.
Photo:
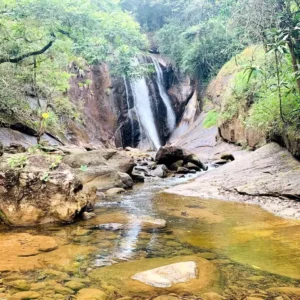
column 144, row 111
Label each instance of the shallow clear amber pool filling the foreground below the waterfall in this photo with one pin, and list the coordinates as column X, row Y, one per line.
column 241, row 250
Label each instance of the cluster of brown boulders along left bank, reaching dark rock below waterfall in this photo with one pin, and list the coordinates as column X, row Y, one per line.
column 60, row 184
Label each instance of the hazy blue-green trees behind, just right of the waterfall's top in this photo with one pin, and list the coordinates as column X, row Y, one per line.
column 197, row 38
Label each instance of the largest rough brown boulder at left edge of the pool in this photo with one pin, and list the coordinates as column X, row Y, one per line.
column 32, row 193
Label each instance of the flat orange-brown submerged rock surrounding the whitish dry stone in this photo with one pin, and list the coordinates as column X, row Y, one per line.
column 119, row 276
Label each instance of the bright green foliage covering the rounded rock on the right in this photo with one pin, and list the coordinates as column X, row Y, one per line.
column 254, row 99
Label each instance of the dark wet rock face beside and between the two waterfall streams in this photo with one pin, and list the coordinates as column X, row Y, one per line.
column 178, row 87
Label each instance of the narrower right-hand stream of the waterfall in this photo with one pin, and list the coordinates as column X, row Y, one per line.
column 171, row 118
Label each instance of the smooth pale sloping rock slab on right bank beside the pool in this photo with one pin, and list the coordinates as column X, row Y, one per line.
column 268, row 177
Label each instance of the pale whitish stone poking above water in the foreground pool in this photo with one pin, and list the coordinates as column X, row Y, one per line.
column 169, row 275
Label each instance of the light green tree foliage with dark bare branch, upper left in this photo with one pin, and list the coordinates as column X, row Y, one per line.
column 41, row 40
